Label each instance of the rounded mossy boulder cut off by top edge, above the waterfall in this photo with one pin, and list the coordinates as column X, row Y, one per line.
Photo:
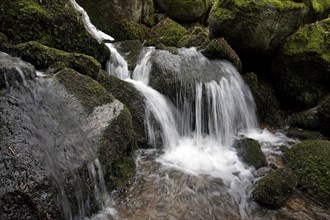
column 184, row 10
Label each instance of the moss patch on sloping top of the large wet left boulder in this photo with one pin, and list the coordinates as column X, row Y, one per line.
column 89, row 92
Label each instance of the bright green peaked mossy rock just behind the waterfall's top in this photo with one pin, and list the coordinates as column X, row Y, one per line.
column 166, row 33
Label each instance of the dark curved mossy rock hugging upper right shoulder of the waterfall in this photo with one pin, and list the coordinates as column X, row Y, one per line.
column 220, row 49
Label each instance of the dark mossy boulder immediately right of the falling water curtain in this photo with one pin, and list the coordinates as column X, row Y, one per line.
column 268, row 107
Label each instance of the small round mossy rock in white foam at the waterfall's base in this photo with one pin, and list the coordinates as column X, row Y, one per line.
column 249, row 151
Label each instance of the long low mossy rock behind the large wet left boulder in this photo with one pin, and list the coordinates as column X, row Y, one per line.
column 42, row 57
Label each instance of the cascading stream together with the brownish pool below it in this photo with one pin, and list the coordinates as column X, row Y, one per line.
column 198, row 174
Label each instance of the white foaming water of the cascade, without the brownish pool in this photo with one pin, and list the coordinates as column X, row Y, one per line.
column 203, row 147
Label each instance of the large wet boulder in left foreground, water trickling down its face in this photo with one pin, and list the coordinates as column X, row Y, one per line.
column 52, row 133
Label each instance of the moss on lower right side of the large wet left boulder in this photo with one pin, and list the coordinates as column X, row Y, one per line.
column 116, row 152
